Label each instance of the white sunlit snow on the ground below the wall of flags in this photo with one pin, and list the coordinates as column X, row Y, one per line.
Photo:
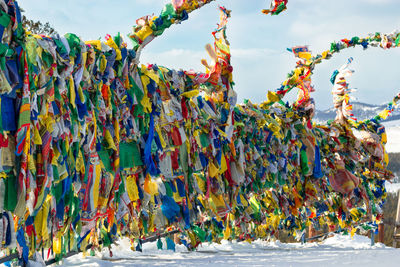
column 335, row 251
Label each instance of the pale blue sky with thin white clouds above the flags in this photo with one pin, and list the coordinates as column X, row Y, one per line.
column 258, row 42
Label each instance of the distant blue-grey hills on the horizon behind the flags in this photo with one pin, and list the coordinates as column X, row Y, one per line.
column 361, row 111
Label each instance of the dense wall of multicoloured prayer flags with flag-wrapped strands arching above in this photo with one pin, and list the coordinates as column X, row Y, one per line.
column 94, row 146
